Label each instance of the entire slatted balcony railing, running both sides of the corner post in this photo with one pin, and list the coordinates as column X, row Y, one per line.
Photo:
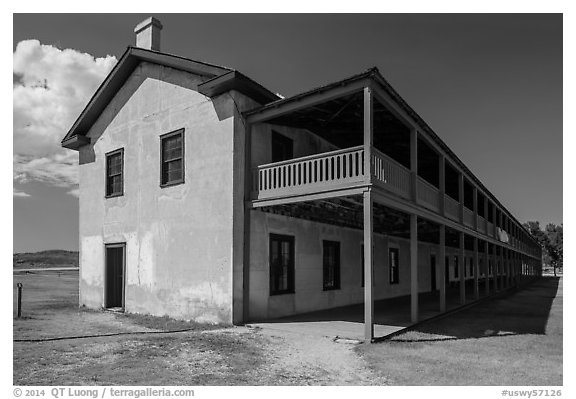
column 345, row 169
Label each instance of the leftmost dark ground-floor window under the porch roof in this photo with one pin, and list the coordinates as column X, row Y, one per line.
column 281, row 264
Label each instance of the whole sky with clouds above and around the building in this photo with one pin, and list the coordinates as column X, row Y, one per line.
column 490, row 85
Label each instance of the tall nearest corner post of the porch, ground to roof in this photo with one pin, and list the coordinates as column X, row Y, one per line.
column 368, row 217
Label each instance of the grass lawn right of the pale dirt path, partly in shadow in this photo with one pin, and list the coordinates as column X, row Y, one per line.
column 512, row 340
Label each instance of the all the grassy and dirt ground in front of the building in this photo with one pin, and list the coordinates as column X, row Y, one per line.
column 511, row 340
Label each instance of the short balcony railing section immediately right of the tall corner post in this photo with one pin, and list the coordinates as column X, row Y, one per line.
column 390, row 174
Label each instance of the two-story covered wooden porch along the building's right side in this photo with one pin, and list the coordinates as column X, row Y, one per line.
column 375, row 166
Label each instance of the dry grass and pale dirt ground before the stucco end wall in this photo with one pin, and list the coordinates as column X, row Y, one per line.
column 143, row 351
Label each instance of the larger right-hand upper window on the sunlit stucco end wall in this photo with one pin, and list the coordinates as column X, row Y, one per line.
column 172, row 153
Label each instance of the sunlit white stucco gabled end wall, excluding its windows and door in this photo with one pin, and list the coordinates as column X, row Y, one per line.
column 178, row 239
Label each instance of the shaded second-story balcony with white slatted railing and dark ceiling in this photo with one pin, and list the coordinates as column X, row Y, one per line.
column 336, row 125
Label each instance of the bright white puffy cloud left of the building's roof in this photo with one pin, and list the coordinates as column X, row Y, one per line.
column 51, row 87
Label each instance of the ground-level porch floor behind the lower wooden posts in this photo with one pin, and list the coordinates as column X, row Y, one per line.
column 390, row 315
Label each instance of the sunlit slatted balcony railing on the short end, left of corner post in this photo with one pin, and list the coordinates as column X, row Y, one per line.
column 318, row 172
